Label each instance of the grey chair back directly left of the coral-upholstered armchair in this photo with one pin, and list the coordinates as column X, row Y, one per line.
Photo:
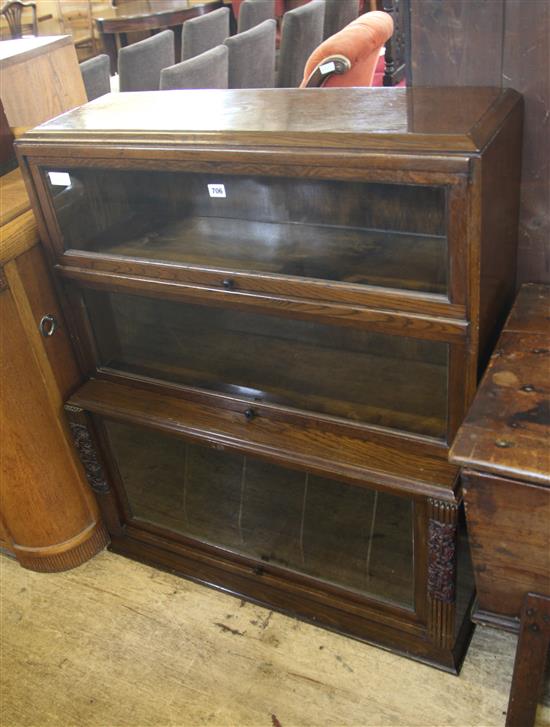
column 302, row 32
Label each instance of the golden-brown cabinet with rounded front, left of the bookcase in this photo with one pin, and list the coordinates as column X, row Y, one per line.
column 48, row 517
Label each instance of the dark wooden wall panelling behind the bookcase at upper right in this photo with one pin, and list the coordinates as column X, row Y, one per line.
column 497, row 43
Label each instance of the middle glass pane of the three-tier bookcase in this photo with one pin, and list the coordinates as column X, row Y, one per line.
column 345, row 372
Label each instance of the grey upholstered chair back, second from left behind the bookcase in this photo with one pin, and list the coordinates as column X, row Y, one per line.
column 140, row 64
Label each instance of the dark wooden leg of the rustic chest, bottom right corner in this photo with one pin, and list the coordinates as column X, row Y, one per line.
column 532, row 649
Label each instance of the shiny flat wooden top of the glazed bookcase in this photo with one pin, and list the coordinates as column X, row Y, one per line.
column 423, row 119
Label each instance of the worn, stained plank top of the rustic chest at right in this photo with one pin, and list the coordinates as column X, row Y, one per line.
column 507, row 430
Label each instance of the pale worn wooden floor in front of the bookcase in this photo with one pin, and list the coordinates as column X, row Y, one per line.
column 115, row 644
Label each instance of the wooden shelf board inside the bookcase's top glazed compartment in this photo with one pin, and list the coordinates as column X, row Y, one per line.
column 346, row 254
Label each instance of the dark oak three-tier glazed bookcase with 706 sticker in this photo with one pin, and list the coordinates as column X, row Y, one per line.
column 280, row 301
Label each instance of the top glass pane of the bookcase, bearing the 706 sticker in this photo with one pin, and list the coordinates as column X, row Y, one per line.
column 364, row 233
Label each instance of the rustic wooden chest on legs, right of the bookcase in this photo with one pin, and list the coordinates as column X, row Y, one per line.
column 504, row 449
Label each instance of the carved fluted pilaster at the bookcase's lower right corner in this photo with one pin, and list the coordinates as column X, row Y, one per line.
column 442, row 554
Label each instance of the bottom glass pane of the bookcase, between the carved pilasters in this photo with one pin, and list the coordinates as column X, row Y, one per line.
column 346, row 535
